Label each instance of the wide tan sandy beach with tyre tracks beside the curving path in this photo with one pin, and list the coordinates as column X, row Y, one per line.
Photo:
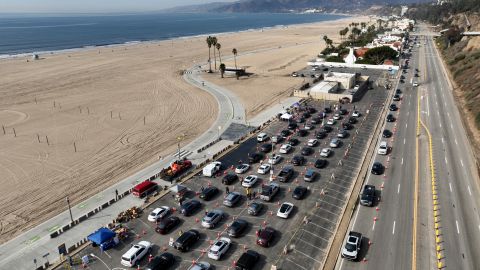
column 122, row 108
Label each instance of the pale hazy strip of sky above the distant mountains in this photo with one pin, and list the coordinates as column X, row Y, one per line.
column 85, row 6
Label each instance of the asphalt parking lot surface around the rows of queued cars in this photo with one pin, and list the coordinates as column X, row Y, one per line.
column 301, row 240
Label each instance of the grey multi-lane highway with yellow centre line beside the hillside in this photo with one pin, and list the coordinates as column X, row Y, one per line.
column 388, row 226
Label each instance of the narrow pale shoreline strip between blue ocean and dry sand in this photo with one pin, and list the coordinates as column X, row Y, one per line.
column 155, row 41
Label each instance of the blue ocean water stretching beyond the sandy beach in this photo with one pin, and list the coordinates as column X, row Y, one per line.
column 36, row 34
